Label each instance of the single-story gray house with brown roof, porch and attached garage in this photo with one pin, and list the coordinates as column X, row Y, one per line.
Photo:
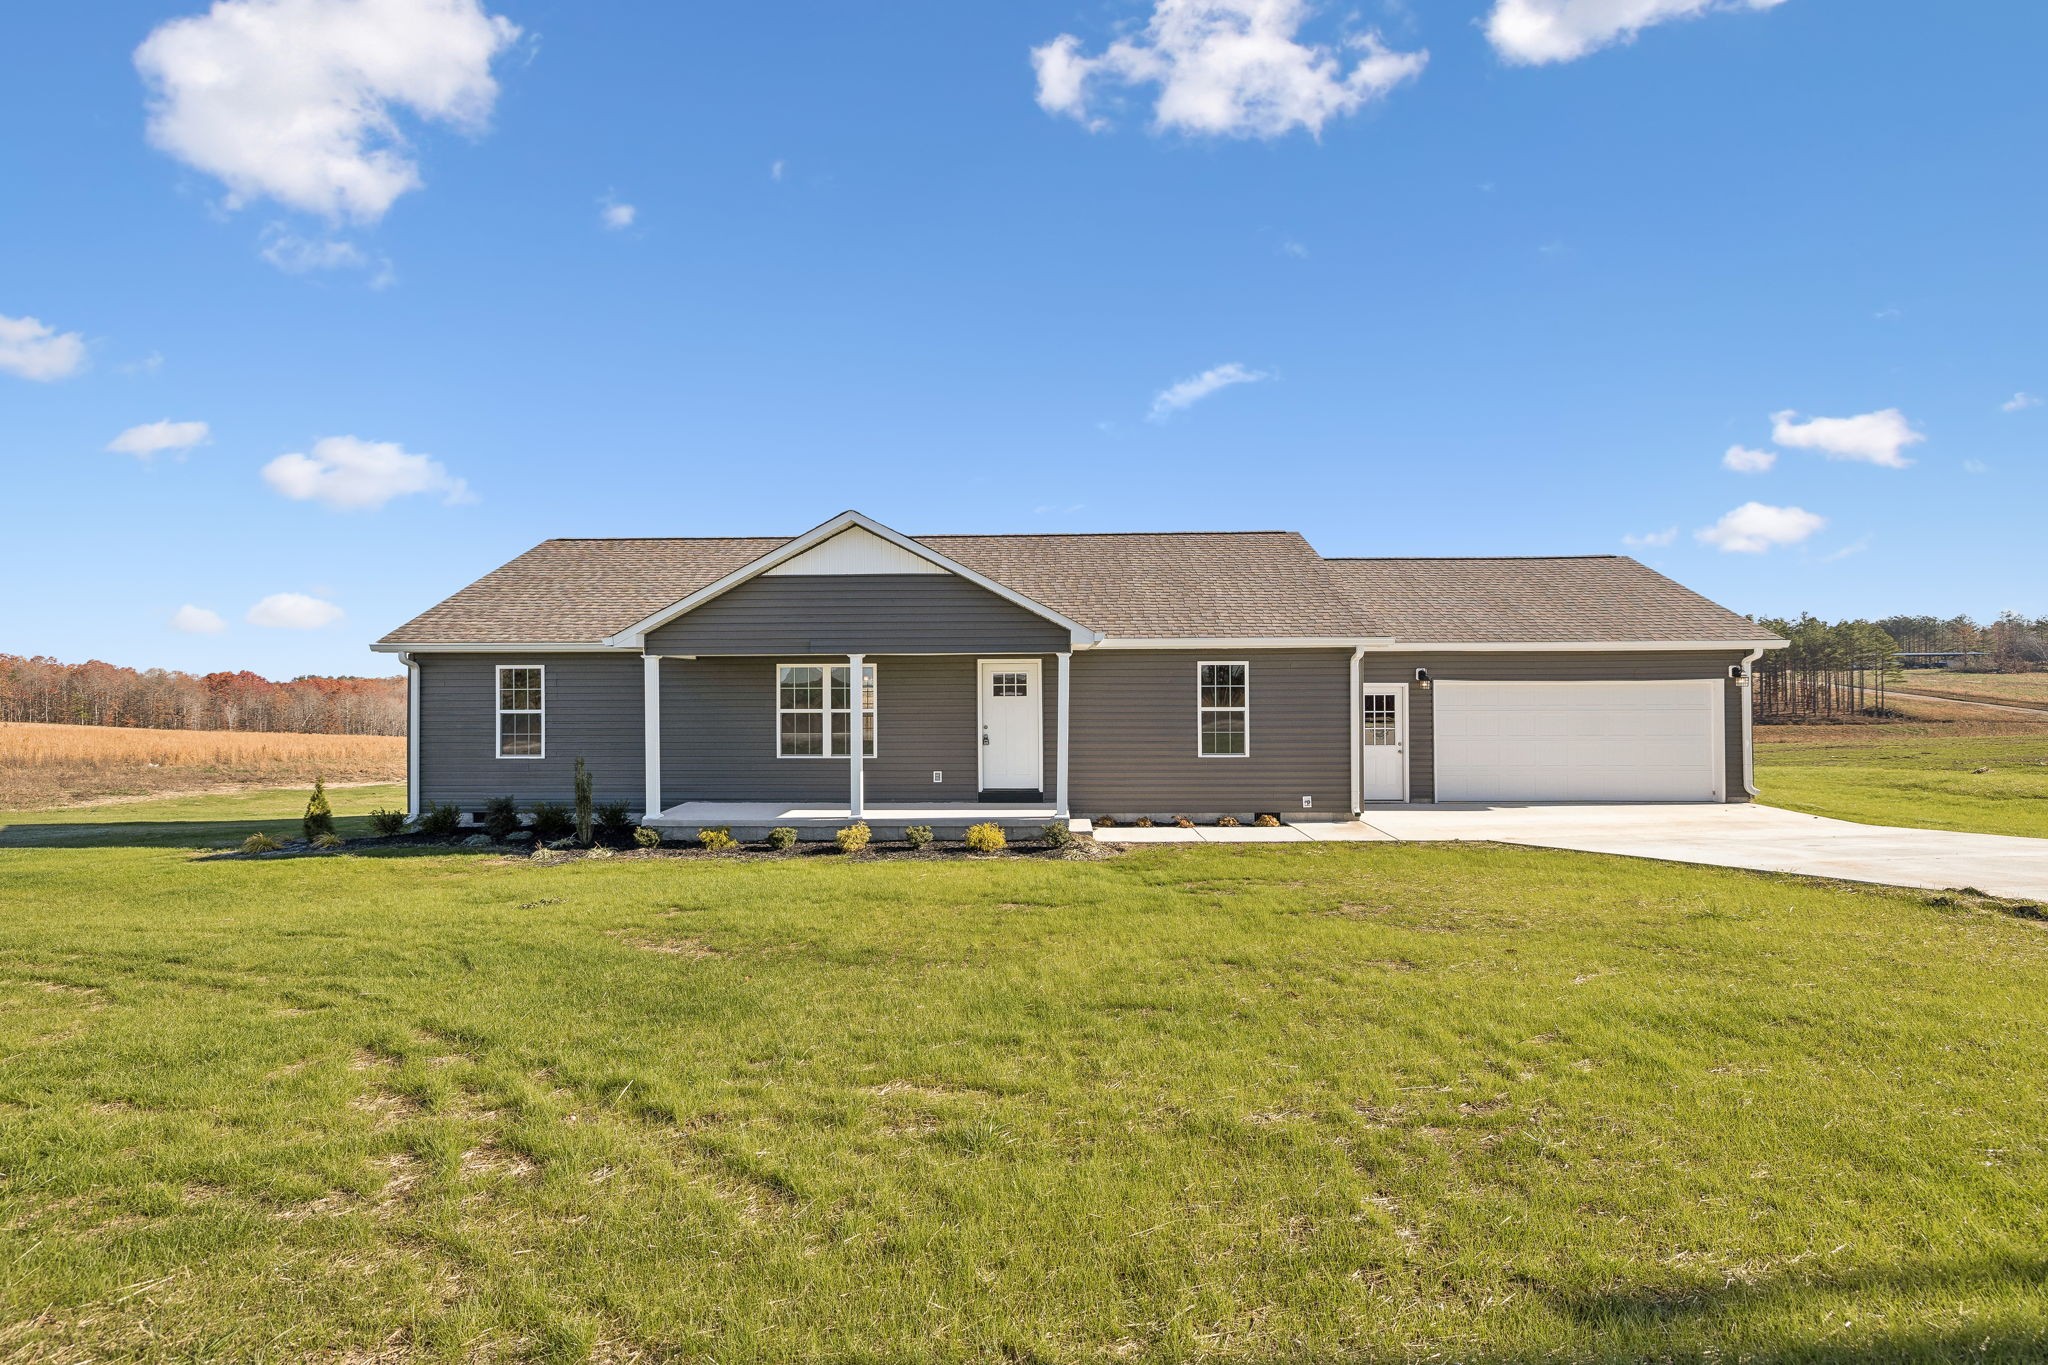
column 1035, row 678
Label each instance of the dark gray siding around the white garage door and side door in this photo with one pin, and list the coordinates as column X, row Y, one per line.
column 1549, row 668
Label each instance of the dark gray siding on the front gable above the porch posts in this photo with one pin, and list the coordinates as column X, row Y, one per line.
column 869, row 613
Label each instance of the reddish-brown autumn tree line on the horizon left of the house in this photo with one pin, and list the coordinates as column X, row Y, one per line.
column 93, row 693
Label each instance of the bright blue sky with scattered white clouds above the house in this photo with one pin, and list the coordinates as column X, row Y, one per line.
column 585, row 269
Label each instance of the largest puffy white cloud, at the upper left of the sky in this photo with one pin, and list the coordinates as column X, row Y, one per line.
column 298, row 99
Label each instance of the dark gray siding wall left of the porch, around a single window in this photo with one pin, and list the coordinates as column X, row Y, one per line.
column 593, row 711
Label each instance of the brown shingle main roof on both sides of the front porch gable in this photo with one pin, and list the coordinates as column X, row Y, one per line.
column 1162, row 586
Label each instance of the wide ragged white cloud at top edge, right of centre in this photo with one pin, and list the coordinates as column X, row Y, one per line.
column 1226, row 69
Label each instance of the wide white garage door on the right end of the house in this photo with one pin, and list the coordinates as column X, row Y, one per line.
column 1580, row 742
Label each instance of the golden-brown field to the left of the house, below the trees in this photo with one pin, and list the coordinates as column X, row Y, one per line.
column 46, row 766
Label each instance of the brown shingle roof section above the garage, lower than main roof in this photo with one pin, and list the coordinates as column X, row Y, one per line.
column 1590, row 599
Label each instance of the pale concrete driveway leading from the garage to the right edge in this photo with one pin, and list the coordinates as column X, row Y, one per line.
column 1758, row 838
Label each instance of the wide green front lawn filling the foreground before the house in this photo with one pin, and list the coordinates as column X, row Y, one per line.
column 1367, row 1102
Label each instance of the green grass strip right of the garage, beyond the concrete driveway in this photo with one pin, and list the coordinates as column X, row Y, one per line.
column 1912, row 775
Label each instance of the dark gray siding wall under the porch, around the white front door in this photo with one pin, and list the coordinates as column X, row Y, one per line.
column 720, row 732
